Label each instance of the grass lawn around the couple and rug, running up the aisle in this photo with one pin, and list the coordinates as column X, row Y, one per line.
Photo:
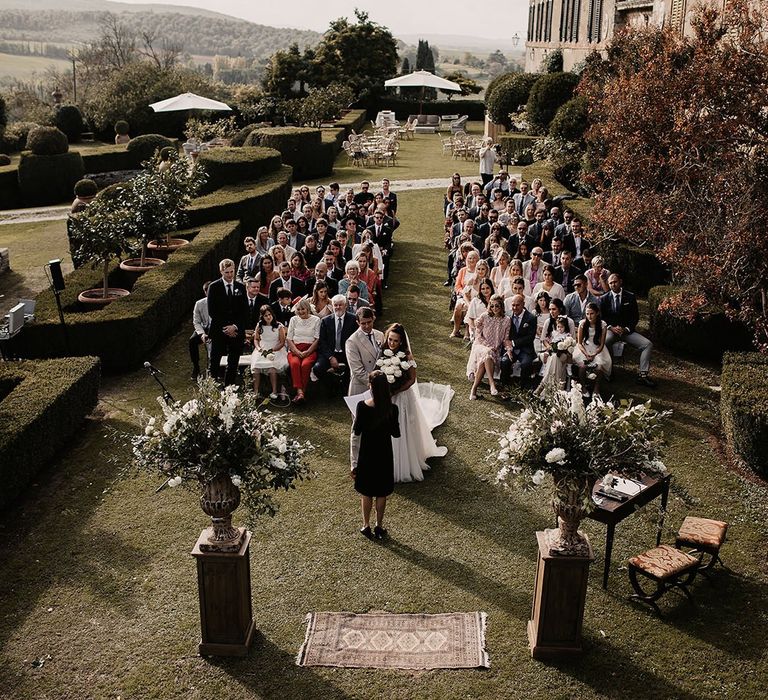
column 99, row 585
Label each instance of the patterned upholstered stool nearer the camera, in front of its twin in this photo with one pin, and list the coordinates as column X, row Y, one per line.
column 668, row 567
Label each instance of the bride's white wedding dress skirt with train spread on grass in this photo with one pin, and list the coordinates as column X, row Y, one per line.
column 422, row 408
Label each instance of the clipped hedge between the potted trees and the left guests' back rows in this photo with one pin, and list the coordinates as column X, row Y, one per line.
column 253, row 204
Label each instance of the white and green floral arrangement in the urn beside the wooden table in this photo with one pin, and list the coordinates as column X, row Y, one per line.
column 579, row 444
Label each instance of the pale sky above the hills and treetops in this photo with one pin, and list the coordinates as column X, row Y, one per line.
column 403, row 17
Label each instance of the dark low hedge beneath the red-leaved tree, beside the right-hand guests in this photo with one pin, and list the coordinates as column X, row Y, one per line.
column 707, row 337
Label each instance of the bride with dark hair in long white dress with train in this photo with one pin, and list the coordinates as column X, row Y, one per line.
column 421, row 409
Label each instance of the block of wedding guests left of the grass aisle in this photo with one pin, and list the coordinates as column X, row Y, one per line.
column 280, row 292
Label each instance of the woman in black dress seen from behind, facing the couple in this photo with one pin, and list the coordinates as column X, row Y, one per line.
column 376, row 423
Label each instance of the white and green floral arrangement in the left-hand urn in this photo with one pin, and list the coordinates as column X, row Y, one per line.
column 222, row 431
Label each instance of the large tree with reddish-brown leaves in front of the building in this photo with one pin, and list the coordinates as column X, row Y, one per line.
column 679, row 147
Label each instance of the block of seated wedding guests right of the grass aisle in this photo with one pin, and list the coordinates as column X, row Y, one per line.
column 520, row 290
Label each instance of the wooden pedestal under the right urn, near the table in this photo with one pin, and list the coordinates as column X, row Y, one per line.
column 560, row 592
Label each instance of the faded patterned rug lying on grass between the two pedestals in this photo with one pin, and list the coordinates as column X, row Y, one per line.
column 381, row 640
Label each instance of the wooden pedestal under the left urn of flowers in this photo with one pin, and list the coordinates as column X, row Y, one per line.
column 224, row 589
